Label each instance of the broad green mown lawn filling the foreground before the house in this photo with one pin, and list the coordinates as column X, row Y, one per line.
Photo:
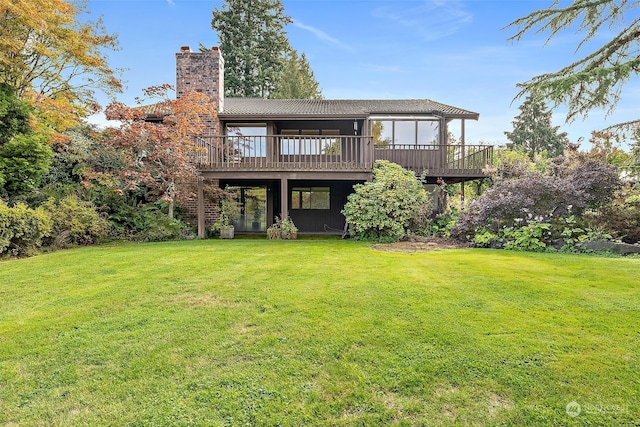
column 316, row 332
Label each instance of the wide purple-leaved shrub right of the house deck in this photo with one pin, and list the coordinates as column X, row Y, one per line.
column 572, row 185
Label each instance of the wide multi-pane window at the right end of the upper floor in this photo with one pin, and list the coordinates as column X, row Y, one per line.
column 400, row 133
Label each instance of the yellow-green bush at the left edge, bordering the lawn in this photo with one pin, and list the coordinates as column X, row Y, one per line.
column 22, row 229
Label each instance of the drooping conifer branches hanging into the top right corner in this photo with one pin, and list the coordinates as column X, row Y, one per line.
column 596, row 80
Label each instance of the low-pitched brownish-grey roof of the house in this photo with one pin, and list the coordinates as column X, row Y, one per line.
column 307, row 108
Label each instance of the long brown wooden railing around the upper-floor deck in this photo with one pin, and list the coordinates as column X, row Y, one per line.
column 348, row 153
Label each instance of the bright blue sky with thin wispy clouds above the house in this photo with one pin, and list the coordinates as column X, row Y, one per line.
column 451, row 51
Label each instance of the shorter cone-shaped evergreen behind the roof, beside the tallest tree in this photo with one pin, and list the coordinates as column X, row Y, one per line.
column 297, row 80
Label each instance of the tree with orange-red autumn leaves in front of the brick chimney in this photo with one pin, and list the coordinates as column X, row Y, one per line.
column 159, row 156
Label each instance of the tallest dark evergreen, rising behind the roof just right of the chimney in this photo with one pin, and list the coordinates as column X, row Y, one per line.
column 254, row 44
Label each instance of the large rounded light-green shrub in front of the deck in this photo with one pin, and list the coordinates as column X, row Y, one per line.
column 384, row 208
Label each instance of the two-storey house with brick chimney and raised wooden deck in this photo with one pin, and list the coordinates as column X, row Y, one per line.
column 300, row 158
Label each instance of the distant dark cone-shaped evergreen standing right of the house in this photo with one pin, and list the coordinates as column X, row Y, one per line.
column 533, row 132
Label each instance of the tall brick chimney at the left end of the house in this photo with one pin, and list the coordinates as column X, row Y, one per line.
column 201, row 72
